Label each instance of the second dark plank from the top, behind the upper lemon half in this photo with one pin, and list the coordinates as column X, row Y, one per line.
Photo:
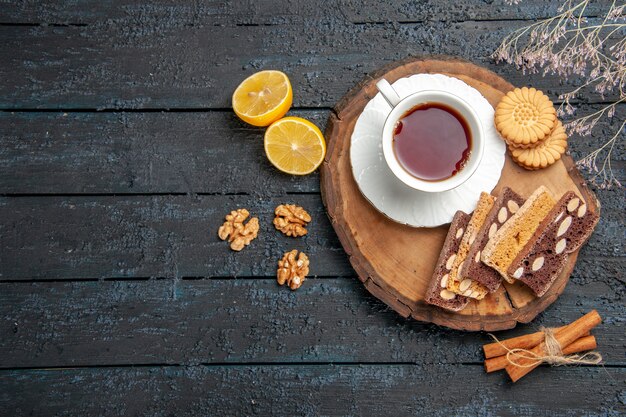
column 112, row 66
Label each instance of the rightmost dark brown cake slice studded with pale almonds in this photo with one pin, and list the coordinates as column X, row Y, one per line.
column 568, row 225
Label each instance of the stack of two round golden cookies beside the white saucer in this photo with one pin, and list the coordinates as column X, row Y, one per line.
column 526, row 119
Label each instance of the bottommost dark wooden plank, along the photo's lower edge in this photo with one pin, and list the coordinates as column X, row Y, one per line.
column 310, row 390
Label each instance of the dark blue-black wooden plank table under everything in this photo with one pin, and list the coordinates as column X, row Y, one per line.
column 120, row 156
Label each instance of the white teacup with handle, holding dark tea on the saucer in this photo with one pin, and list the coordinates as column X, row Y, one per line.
column 401, row 106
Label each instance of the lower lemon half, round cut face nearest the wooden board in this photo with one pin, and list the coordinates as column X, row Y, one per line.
column 295, row 145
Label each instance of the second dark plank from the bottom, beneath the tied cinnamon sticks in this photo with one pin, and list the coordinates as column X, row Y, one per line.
column 256, row 320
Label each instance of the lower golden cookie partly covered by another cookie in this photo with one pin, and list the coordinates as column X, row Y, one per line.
column 545, row 153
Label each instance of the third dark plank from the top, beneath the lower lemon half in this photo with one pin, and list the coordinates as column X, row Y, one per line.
column 175, row 152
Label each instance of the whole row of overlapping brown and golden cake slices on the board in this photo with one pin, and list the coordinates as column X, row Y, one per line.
column 510, row 238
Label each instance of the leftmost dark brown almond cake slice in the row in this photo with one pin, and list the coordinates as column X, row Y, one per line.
column 437, row 293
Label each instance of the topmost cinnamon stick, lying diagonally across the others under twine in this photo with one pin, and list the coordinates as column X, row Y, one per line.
column 565, row 337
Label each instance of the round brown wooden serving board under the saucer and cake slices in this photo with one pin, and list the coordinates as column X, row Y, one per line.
column 395, row 262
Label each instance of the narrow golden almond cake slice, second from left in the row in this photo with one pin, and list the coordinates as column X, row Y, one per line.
column 468, row 287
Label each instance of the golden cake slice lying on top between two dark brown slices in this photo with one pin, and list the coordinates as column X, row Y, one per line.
column 502, row 249
